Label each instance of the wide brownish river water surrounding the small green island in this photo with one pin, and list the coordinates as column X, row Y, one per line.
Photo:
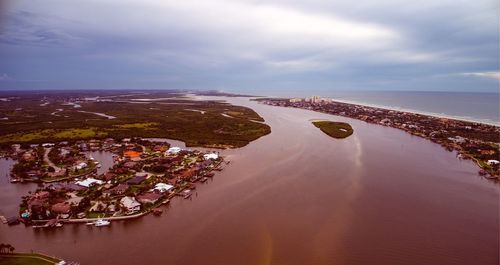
column 297, row 196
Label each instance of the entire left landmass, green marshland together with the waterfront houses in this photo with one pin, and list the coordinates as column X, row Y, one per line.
column 50, row 135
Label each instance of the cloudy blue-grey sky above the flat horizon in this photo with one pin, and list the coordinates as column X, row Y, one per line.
column 251, row 46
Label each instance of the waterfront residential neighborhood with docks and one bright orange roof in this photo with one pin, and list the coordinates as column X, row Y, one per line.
column 144, row 175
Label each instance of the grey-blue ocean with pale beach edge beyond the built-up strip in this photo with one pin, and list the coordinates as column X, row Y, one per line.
column 481, row 107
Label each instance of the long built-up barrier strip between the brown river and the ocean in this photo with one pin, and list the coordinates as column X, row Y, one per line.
column 471, row 140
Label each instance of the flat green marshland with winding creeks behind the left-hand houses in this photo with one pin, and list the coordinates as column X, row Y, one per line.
column 24, row 119
